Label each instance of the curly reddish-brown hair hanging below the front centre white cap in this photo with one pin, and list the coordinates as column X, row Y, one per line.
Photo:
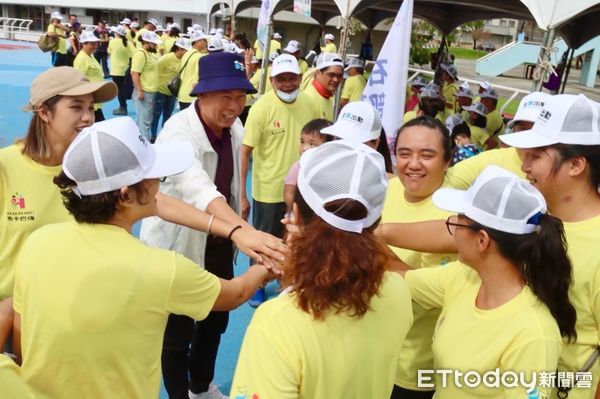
column 332, row 269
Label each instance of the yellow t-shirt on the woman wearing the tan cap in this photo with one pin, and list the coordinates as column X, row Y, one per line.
column 31, row 200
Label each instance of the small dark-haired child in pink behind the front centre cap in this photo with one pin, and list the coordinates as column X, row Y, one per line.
column 310, row 137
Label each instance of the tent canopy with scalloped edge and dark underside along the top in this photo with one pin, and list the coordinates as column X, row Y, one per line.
column 577, row 20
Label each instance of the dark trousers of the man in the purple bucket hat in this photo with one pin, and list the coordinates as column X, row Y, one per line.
column 190, row 348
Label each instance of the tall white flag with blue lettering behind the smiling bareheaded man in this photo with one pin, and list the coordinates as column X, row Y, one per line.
column 386, row 87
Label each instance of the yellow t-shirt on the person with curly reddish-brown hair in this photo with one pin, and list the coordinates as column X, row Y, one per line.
column 288, row 354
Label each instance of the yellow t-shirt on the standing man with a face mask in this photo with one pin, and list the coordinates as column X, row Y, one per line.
column 273, row 129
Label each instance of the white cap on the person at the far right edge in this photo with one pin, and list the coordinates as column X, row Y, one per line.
column 564, row 119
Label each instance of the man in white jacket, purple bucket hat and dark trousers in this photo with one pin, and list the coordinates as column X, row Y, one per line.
column 211, row 124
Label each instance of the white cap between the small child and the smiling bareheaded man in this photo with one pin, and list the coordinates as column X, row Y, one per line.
column 357, row 121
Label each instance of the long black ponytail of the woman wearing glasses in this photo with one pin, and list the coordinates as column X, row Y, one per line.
column 545, row 266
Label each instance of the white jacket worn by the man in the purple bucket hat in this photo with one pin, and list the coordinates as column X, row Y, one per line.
column 195, row 186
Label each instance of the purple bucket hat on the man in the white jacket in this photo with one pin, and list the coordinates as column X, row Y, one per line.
column 222, row 71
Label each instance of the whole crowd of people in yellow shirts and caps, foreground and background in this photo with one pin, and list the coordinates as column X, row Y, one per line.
column 472, row 252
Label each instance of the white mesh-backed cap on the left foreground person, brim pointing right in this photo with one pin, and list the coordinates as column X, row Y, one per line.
column 113, row 154
